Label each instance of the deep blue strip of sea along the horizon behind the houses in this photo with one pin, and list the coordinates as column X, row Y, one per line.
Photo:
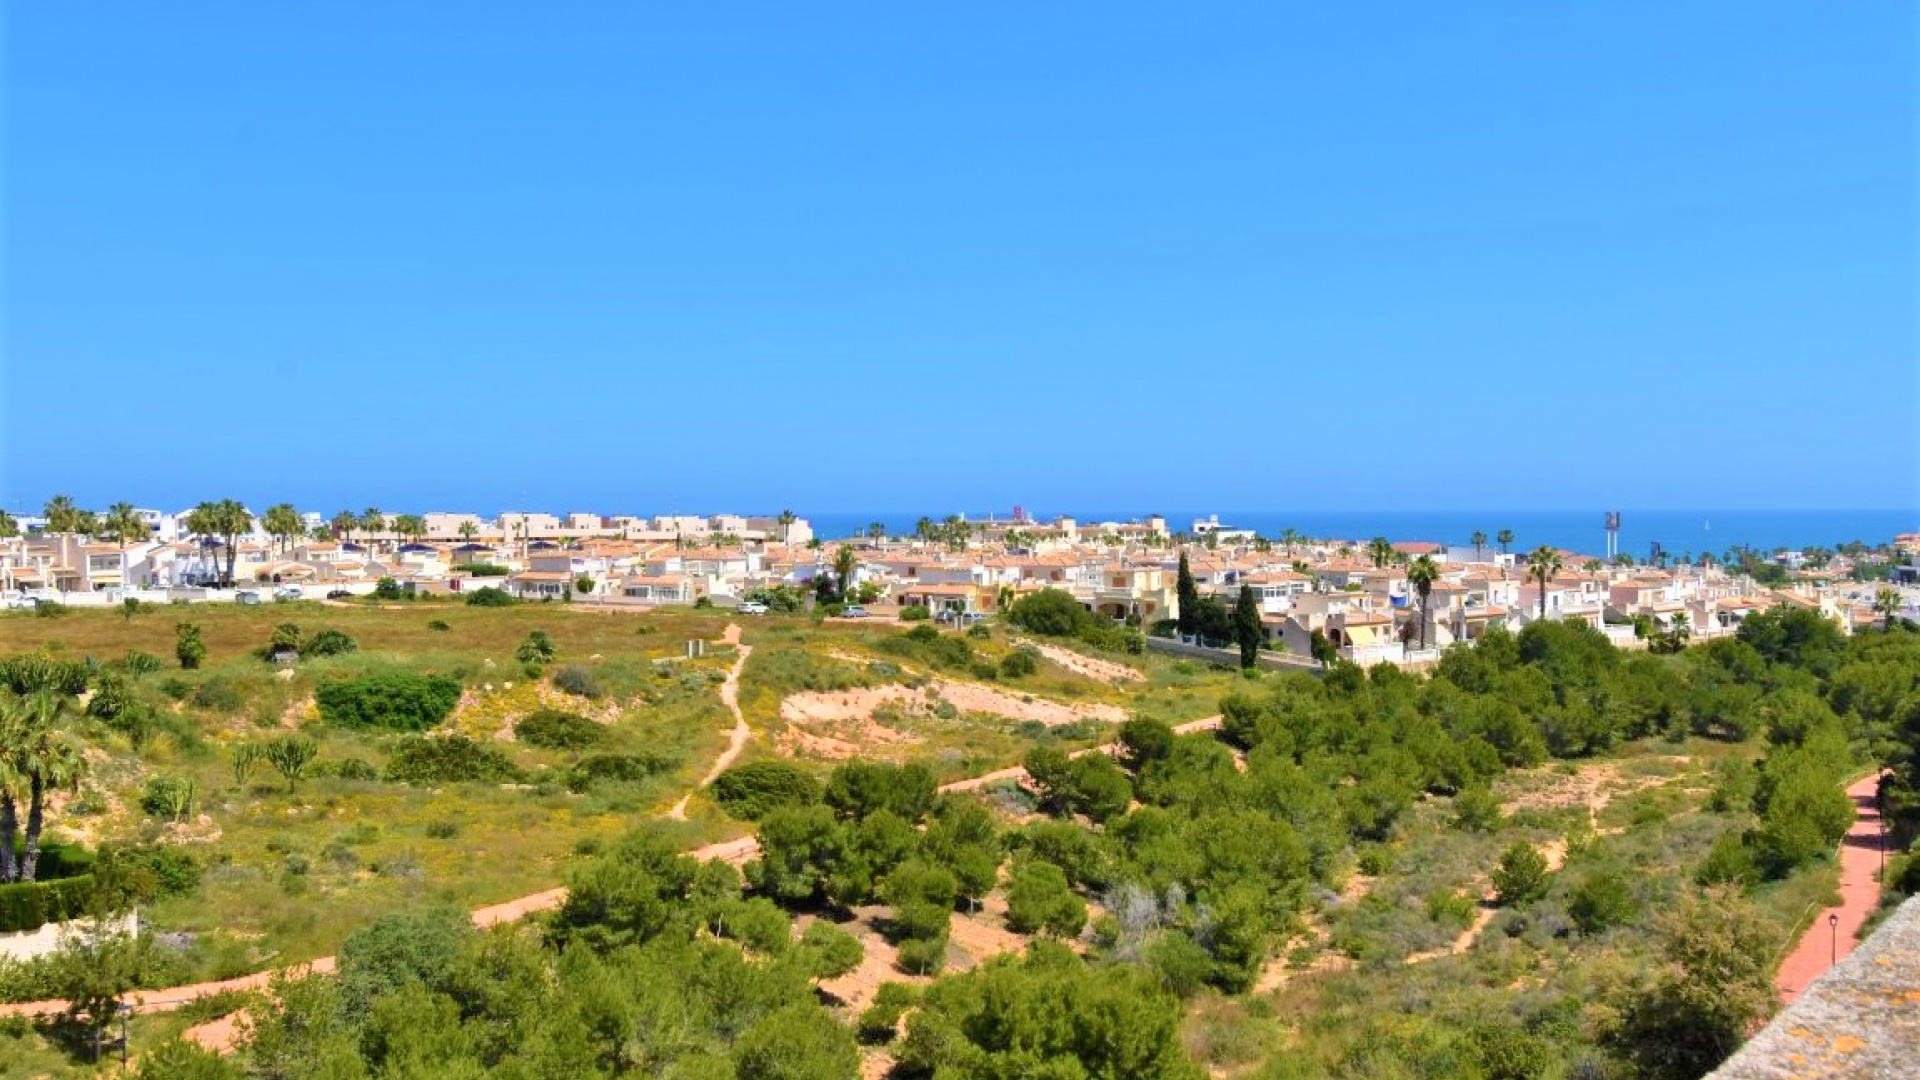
column 1677, row 531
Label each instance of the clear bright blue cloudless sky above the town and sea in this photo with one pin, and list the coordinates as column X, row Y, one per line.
column 888, row 257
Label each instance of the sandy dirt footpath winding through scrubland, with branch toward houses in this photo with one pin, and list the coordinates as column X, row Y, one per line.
column 220, row 1035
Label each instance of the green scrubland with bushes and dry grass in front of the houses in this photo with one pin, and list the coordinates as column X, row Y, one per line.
column 1543, row 860
